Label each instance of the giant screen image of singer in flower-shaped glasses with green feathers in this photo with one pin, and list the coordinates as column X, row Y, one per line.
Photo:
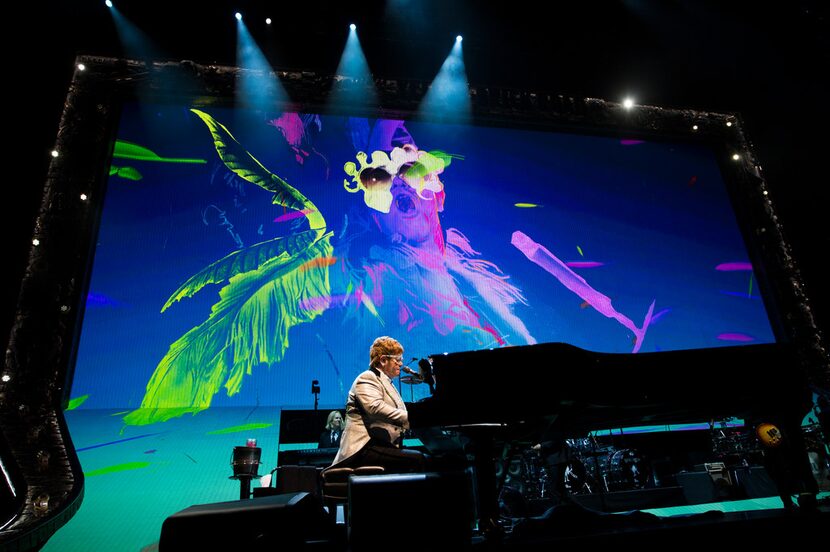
column 241, row 255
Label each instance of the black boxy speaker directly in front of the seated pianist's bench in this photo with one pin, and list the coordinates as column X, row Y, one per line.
column 412, row 511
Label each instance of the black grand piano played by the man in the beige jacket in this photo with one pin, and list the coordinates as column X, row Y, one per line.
column 502, row 394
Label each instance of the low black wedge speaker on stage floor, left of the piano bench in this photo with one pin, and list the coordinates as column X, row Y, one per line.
column 286, row 521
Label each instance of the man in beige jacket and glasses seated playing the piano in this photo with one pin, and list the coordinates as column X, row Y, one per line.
column 376, row 416
